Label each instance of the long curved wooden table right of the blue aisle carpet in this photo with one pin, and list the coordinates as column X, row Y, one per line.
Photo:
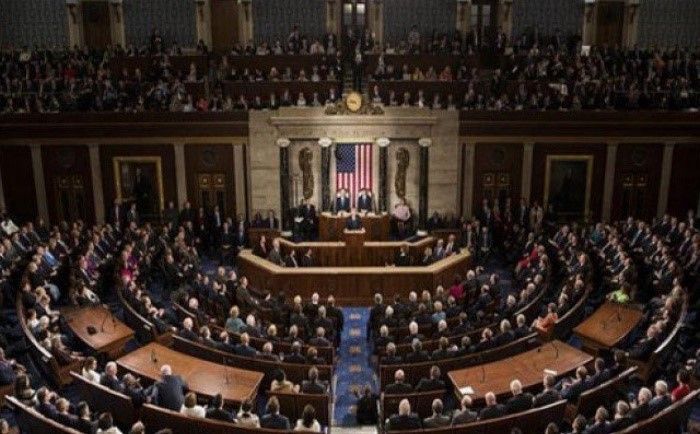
column 528, row 367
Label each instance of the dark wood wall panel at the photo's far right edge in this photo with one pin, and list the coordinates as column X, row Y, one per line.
column 685, row 178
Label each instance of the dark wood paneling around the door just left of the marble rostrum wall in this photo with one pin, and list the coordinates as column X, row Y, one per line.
column 211, row 159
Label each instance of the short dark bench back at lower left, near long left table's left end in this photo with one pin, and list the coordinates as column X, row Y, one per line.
column 101, row 399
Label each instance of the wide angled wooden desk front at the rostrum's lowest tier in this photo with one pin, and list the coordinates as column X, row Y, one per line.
column 351, row 285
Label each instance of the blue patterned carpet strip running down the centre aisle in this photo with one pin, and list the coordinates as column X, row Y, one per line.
column 353, row 370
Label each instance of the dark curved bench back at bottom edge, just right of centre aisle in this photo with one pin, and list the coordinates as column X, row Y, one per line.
column 533, row 421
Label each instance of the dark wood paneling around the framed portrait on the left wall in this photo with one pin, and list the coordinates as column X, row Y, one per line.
column 165, row 152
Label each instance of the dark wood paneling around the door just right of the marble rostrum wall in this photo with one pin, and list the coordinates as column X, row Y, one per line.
column 498, row 158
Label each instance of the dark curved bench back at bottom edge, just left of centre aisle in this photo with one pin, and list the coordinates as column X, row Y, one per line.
column 157, row 418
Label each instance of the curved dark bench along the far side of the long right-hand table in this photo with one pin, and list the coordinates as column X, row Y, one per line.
column 414, row 372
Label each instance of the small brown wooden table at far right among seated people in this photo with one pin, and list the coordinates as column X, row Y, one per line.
column 608, row 325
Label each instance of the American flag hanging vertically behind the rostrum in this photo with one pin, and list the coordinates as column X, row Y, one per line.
column 353, row 167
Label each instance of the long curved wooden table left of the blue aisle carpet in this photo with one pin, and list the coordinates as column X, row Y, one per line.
column 202, row 377
